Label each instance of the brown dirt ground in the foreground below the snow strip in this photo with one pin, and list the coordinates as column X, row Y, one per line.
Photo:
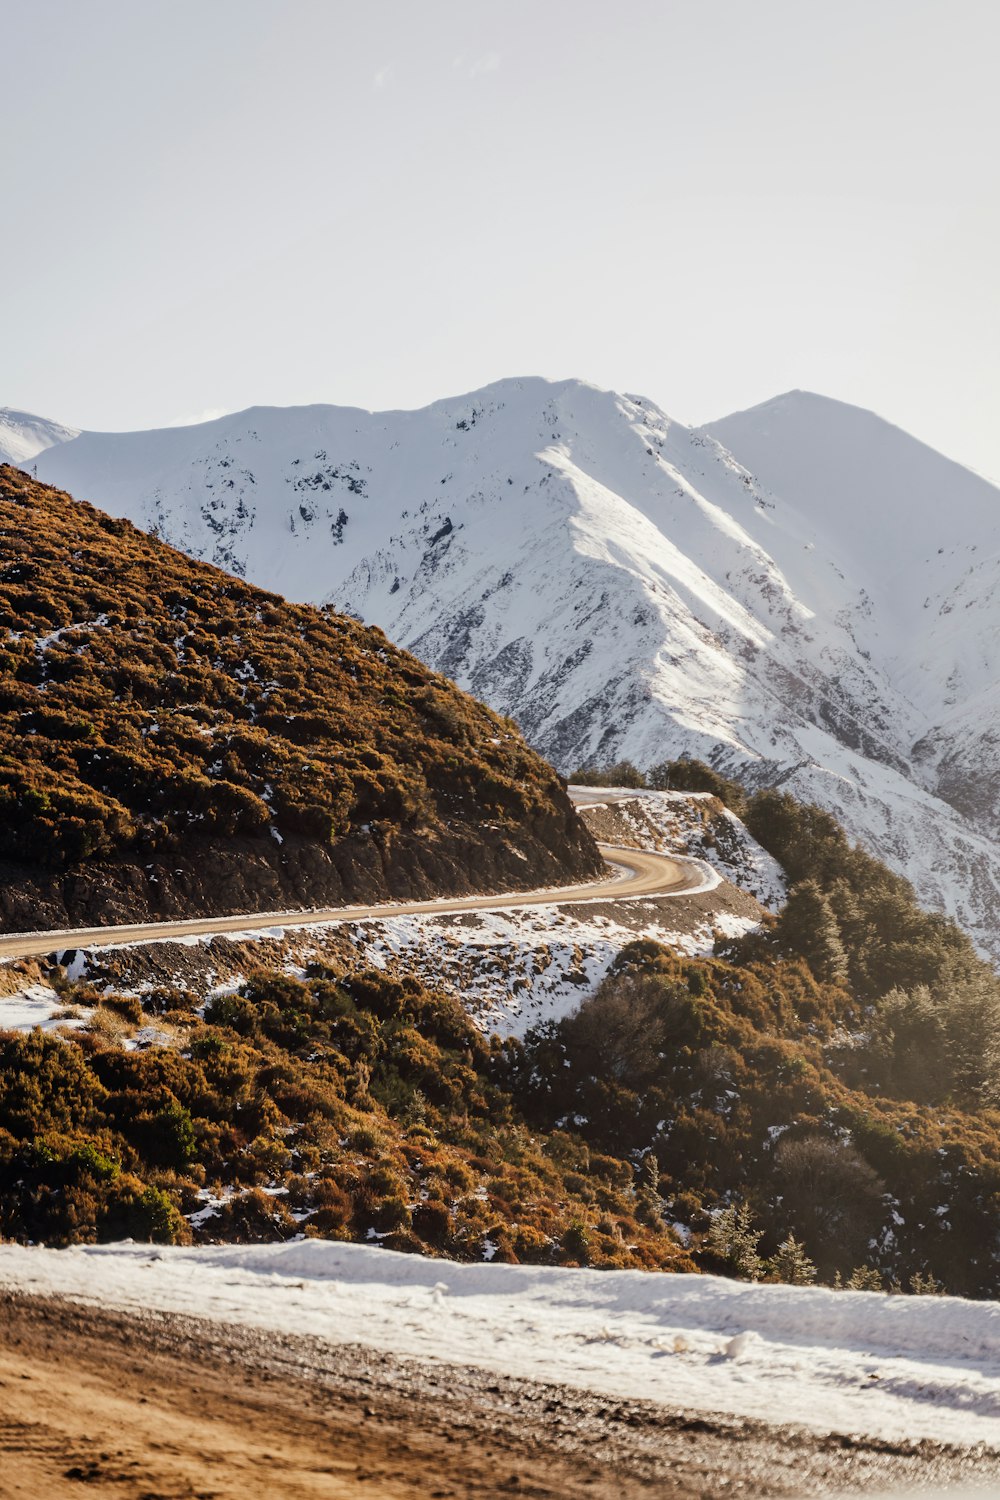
column 176, row 1409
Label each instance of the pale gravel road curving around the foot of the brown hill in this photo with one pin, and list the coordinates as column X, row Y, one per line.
column 638, row 874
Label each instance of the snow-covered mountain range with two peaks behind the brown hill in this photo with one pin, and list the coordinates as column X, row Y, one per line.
column 800, row 593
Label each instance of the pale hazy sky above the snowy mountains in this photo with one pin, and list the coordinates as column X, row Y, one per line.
column 221, row 203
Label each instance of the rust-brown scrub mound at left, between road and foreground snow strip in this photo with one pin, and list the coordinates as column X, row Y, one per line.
column 344, row 1106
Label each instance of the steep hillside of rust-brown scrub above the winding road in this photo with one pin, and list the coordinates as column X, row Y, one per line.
column 175, row 740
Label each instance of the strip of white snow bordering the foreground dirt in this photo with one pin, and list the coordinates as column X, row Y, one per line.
column 837, row 1361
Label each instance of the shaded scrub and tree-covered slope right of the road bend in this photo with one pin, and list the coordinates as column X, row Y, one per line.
column 822, row 1099
